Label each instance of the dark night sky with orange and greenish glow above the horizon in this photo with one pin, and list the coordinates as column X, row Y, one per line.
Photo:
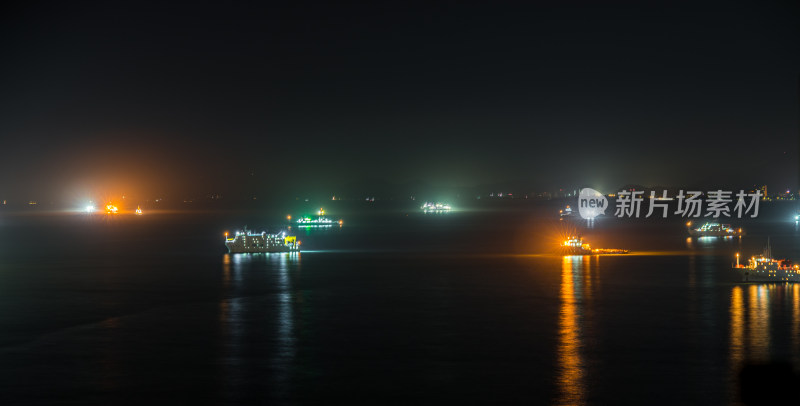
column 149, row 98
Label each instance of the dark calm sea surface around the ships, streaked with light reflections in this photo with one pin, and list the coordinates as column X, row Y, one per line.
column 395, row 307
